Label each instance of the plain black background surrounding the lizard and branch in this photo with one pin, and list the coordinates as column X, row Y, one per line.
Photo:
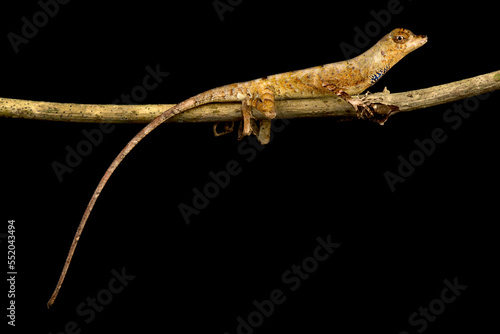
column 316, row 178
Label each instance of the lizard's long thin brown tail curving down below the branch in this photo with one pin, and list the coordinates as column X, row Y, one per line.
column 183, row 106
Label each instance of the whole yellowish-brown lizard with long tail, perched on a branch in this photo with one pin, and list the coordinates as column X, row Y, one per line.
column 343, row 78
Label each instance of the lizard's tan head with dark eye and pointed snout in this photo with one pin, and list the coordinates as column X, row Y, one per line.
column 400, row 42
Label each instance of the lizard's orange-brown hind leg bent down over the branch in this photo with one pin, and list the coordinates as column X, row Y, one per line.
column 265, row 103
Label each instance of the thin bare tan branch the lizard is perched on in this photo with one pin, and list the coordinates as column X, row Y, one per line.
column 384, row 103
